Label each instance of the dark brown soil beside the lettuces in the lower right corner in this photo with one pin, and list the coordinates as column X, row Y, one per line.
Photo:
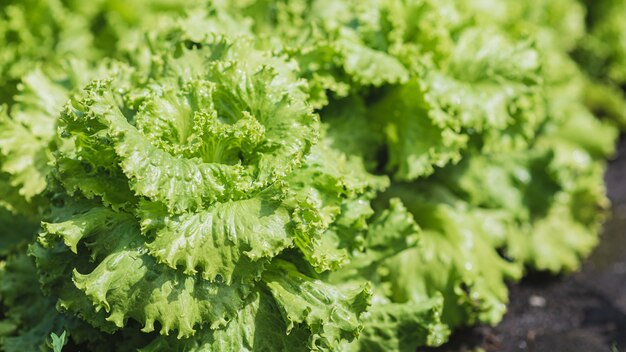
column 582, row 312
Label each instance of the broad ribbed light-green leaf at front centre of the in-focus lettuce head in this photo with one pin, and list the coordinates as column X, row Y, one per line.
column 229, row 242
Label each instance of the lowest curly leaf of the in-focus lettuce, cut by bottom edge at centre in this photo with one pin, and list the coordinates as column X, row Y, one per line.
column 292, row 311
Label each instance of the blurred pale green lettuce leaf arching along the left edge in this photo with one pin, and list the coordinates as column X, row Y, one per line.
column 28, row 137
